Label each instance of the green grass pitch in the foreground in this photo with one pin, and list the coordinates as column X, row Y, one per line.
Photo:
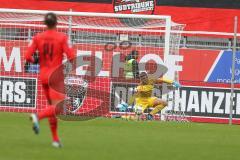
column 109, row 139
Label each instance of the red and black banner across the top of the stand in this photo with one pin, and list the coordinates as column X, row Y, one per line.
column 211, row 17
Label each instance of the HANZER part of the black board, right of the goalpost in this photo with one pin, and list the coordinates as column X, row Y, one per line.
column 206, row 101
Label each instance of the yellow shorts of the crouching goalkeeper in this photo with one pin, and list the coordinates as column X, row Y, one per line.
column 145, row 102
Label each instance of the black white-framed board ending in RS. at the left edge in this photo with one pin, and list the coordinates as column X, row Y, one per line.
column 18, row 92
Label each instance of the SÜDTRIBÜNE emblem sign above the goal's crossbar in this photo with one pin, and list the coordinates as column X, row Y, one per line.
column 134, row 6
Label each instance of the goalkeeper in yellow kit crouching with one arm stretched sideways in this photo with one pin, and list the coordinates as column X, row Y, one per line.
column 143, row 97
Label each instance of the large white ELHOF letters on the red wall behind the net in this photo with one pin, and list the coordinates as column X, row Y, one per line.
column 152, row 63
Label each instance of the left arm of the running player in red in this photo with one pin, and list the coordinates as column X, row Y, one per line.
column 30, row 52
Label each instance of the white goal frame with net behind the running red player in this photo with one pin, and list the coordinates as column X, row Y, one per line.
column 103, row 43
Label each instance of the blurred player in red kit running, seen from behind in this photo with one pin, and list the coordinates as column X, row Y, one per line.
column 51, row 46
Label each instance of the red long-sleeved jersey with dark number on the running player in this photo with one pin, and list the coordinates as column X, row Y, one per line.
column 51, row 46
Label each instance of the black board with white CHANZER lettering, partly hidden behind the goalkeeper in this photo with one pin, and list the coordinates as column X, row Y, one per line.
column 194, row 101
